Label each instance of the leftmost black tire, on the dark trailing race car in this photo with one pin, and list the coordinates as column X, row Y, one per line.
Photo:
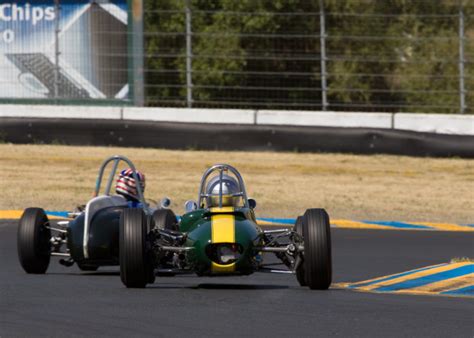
column 33, row 241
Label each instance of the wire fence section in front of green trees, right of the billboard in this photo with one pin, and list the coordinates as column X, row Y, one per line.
column 384, row 56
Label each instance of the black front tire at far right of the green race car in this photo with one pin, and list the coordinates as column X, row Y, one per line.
column 317, row 249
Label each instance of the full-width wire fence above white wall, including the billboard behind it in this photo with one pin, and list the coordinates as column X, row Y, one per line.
column 337, row 55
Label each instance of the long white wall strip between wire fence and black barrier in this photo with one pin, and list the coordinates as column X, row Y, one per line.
column 430, row 123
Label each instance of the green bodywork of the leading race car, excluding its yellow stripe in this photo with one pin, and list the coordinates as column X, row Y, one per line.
column 198, row 227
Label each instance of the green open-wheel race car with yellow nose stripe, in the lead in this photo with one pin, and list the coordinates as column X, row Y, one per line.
column 219, row 236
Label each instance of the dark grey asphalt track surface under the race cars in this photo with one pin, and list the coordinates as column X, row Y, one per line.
column 66, row 302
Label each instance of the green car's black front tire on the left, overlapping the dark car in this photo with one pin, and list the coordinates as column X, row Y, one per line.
column 135, row 266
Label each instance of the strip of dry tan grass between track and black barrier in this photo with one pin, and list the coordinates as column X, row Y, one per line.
column 284, row 184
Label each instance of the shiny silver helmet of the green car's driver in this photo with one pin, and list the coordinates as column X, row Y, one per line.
column 230, row 187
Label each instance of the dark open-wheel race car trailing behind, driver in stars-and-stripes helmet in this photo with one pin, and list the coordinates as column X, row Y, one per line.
column 91, row 238
